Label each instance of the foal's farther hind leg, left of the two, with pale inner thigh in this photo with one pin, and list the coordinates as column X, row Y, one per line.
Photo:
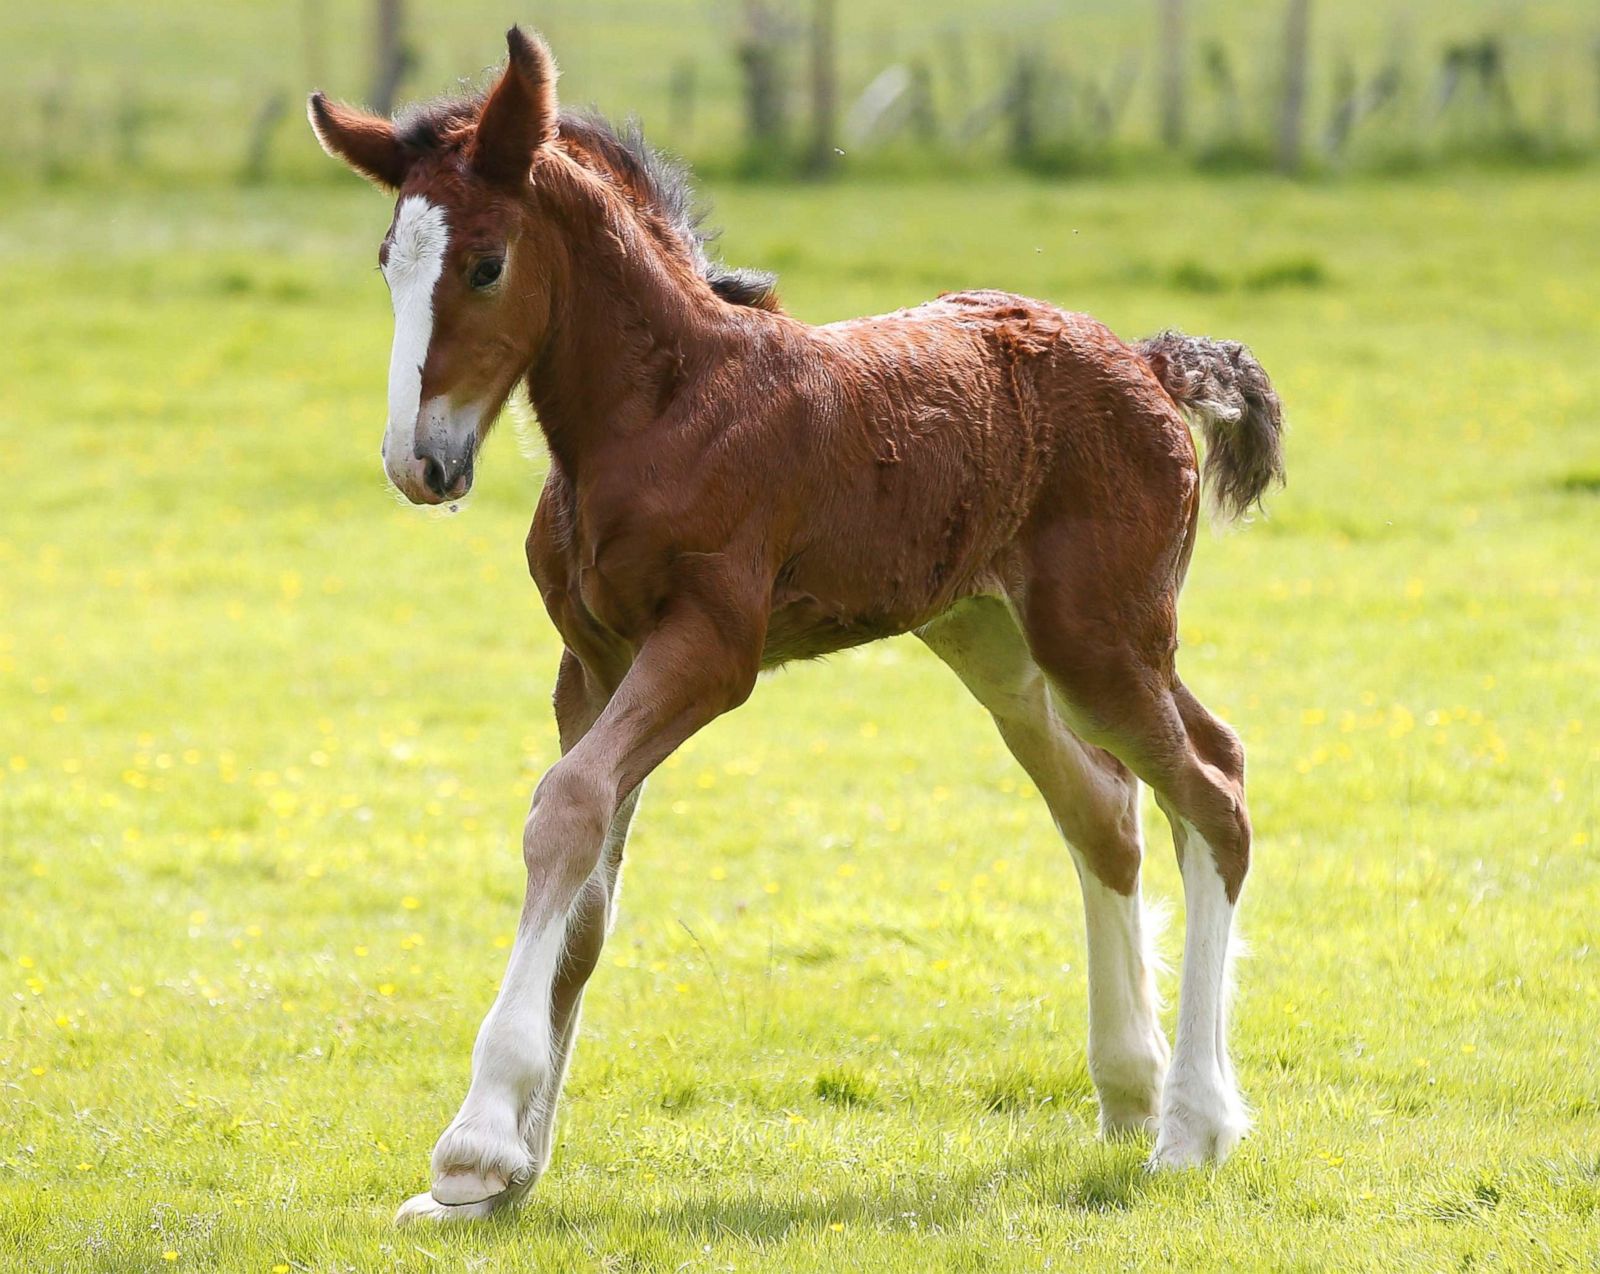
column 1095, row 803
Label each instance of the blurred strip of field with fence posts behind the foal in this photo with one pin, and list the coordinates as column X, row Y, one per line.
column 191, row 90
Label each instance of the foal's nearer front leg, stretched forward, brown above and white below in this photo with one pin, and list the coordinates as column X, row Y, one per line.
column 489, row 1156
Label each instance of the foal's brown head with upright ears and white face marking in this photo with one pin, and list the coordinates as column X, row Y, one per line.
column 463, row 260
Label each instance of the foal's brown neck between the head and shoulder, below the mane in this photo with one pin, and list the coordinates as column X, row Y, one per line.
column 630, row 326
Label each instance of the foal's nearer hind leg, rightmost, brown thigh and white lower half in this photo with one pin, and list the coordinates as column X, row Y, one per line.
column 1113, row 668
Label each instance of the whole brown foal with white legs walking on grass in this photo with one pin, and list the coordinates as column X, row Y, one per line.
column 732, row 489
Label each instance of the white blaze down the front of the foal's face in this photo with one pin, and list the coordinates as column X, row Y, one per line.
column 417, row 257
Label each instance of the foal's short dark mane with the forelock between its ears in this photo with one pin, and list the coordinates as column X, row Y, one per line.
column 655, row 182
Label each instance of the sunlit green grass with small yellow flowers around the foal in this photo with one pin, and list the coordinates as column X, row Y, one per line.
column 268, row 740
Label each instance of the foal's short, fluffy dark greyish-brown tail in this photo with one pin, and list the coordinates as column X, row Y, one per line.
column 1223, row 388
